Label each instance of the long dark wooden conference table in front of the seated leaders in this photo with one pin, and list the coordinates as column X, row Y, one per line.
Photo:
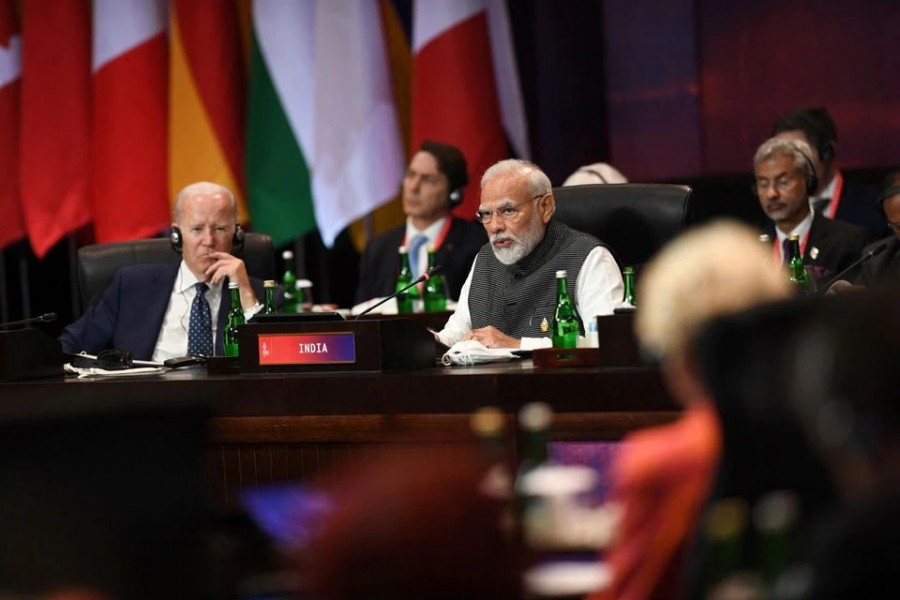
column 273, row 427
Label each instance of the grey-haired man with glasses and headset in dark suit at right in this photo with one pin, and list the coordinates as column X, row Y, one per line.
column 784, row 178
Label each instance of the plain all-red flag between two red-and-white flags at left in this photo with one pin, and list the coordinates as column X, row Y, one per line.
column 55, row 120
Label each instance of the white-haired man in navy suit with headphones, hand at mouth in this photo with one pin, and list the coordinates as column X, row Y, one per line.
column 151, row 310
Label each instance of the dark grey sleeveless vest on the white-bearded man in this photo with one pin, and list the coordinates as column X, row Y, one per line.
column 517, row 298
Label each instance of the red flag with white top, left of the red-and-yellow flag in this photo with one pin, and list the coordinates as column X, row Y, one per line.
column 129, row 119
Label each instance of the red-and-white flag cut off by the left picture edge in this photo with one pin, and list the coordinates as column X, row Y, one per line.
column 12, row 227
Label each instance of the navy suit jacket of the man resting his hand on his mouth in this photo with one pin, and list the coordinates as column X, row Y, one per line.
column 130, row 312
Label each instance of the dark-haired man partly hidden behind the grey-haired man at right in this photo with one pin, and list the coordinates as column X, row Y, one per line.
column 834, row 196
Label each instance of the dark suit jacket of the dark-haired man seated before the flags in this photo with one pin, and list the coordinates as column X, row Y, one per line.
column 379, row 265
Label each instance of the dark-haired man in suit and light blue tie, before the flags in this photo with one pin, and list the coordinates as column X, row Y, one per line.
column 432, row 186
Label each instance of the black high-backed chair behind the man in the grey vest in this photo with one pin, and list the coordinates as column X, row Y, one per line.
column 634, row 219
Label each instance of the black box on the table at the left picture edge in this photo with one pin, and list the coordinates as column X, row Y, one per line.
column 29, row 354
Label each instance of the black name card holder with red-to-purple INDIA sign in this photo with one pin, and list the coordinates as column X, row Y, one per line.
column 330, row 346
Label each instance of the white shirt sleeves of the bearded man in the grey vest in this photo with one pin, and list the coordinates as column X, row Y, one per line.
column 598, row 290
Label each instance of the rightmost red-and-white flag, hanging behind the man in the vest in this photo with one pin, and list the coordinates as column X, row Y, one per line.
column 455, row 96
